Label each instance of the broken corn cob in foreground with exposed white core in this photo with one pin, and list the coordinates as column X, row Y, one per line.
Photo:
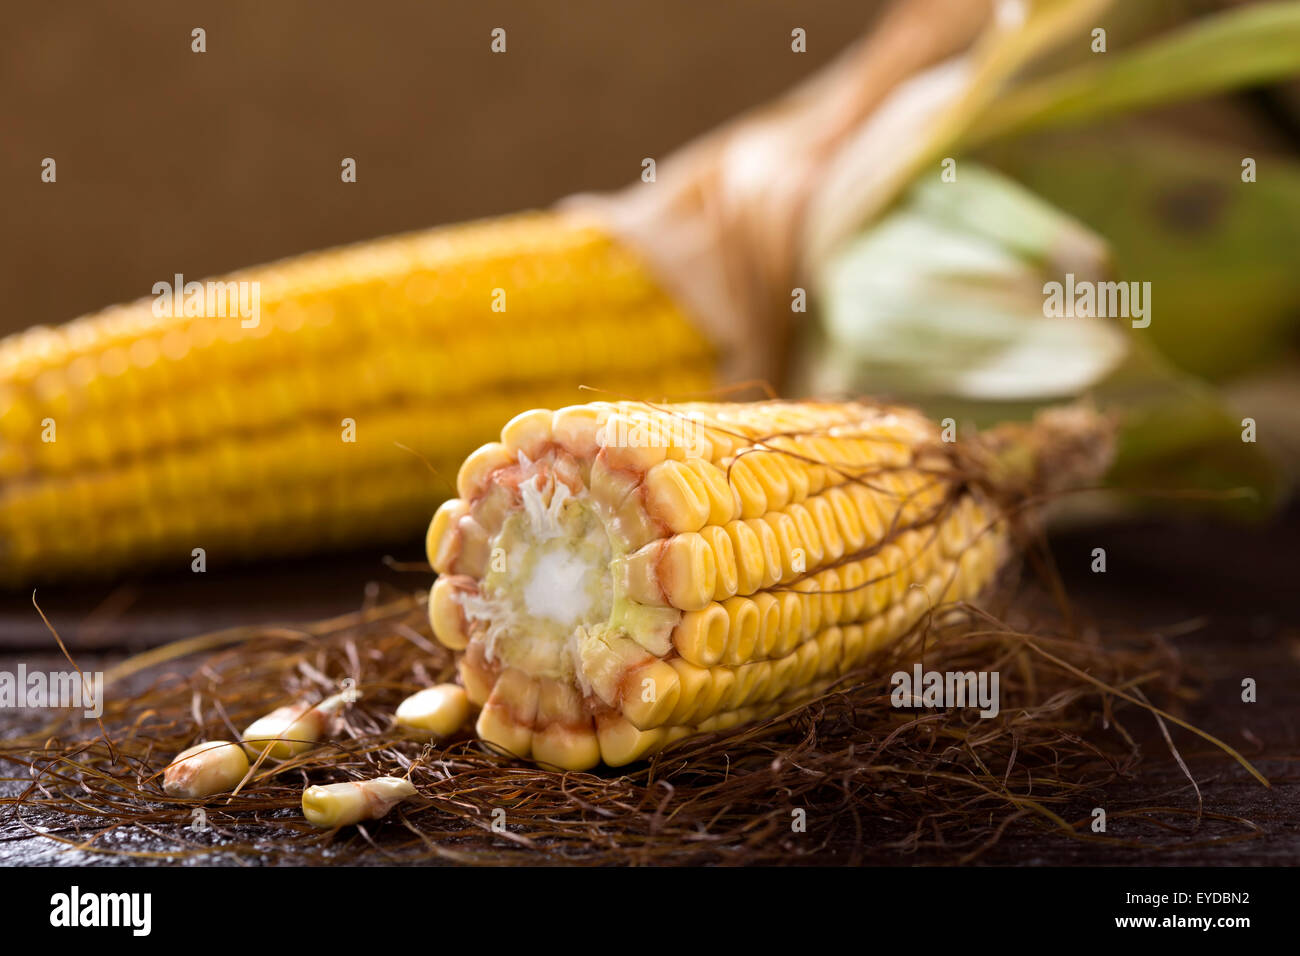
column 618, row 576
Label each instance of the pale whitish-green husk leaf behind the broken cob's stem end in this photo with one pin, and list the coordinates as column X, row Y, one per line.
column 946, row 295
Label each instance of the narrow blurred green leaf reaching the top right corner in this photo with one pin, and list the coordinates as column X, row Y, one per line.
column 1255, row 45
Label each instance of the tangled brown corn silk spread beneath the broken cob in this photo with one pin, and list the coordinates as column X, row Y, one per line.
column 873, row 780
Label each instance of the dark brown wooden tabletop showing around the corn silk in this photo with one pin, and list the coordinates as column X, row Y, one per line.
column 1229, row 592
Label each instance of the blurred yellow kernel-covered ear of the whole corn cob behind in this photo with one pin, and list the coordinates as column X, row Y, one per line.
column 129, row 438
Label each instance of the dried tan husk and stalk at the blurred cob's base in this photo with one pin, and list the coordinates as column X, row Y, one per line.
column 722, row 226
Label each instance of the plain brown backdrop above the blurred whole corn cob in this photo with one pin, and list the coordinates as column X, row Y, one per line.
column 200, row 163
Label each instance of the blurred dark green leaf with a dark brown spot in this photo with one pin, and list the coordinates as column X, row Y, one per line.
column 1221, row 254
